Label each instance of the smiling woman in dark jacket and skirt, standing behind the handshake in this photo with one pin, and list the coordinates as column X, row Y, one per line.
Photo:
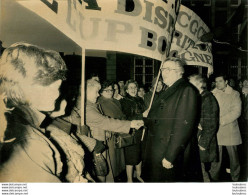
column 133, row 107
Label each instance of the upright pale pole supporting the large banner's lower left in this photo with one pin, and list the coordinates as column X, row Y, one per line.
column 83, row 100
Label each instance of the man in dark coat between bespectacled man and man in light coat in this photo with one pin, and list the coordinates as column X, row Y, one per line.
column 208, row 126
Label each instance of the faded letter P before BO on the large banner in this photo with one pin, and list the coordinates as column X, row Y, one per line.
column 113, row 30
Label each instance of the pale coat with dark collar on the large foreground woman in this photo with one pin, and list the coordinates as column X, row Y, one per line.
column 32, row 156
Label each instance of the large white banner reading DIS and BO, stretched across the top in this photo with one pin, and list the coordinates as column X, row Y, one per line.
column 145, row 29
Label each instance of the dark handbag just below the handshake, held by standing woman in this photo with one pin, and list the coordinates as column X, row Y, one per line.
column 122, row 140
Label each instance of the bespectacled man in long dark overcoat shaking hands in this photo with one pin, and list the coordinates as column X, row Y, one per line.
column 171, row 153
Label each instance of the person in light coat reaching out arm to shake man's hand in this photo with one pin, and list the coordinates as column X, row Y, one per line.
column 99, row 123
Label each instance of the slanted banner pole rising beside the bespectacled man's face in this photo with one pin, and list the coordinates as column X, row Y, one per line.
column 167, row 54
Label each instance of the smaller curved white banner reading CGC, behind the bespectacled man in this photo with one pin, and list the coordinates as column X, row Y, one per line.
column 186, row 41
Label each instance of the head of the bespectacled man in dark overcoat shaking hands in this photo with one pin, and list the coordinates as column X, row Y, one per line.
column 170, row 72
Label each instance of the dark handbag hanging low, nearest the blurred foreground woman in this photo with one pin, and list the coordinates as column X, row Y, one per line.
column 100, row 164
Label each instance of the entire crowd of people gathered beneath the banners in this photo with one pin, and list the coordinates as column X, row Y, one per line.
column 180, row 128
